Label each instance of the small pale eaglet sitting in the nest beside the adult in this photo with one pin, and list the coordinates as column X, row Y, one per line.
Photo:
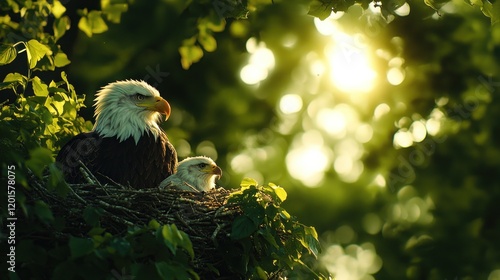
column 194, row 174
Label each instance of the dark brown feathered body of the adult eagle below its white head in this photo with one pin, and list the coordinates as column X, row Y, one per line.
column 143, row 165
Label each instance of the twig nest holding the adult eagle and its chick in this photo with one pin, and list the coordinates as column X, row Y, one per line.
column 205, row 217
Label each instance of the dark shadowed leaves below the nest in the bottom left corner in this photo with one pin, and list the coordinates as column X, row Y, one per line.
column 153, row 251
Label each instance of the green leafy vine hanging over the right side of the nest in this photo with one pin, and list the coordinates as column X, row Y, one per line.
column 267, row 241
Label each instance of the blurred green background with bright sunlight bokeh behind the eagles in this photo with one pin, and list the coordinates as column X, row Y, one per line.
column 384, row 130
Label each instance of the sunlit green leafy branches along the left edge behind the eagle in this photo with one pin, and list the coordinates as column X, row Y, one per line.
column 43, row 114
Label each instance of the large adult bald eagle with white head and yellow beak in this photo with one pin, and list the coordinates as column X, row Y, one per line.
column 126, row 145
